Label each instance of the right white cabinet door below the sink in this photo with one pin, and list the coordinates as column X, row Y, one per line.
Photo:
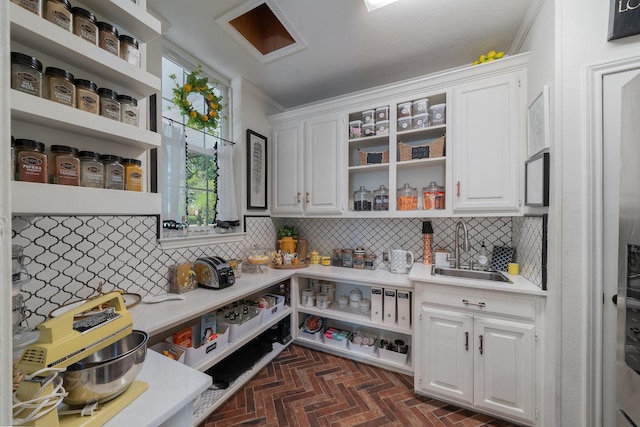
column 504, row 367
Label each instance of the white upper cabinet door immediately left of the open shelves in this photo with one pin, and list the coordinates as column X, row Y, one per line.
column 322, row 179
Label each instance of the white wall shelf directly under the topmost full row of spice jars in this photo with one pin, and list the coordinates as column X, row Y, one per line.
column 42, row 35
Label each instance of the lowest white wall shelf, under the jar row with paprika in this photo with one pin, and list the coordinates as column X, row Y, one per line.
column 42, row 199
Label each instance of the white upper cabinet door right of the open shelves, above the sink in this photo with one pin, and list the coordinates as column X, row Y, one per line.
column 487, row 127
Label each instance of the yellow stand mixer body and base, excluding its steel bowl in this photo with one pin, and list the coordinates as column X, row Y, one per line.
column 65, row 340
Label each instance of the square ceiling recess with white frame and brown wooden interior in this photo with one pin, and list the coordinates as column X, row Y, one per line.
column 263, row 29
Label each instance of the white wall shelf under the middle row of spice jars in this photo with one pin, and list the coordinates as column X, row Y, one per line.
column 38, row 111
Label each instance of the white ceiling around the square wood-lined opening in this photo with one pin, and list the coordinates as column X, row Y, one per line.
column 347, row 48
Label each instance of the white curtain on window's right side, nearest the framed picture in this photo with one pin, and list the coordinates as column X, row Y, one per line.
column 227, row 207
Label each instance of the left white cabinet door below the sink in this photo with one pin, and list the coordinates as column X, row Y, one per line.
column 446, row 363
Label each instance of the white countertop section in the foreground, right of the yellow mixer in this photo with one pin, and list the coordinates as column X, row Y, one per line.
column 172, row 386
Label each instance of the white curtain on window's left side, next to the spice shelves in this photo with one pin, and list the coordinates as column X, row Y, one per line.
column 174, row 172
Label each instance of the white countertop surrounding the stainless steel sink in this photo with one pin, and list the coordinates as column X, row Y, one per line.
column 422, row 273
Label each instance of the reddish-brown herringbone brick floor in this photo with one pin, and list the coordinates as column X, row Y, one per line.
column 308, row 388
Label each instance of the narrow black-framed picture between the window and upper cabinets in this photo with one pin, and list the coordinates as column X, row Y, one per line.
column 256, row 170
